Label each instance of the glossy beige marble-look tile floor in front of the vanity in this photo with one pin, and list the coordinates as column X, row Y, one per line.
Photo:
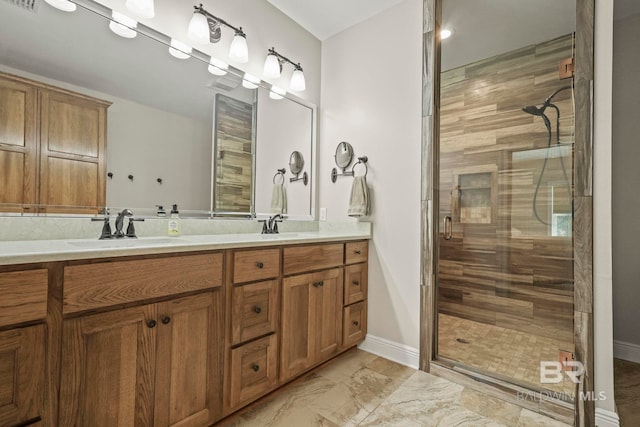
column 361, row 389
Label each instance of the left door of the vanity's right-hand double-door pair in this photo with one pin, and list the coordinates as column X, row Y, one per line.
column 298, row 318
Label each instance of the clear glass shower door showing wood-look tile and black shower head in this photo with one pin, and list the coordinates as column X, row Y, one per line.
column 505, row 250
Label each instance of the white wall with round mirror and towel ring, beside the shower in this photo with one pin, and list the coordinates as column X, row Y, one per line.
column 371, row 97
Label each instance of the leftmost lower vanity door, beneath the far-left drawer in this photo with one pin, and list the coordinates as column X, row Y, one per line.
column 21, row 375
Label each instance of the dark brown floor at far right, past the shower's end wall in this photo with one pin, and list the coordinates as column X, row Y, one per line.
column 627, row 392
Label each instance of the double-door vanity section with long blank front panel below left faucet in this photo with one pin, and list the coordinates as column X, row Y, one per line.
column 156, row 364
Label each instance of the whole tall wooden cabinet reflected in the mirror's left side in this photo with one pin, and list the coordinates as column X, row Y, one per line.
column 52, row 147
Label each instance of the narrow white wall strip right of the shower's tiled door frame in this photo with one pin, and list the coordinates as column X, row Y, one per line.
column 602, row 260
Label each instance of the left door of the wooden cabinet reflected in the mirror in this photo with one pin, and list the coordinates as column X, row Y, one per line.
column 18, row 143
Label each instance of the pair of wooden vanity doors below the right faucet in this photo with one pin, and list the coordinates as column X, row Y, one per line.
column 311, row 320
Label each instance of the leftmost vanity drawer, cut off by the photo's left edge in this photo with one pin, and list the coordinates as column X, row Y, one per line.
column 24, row 296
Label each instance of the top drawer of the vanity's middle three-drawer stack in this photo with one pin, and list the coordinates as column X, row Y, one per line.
column 256, row 265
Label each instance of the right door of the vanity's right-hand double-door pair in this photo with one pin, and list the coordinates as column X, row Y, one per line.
column 328, row 307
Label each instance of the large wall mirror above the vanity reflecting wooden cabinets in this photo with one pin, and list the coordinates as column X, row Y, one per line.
column 175, row 133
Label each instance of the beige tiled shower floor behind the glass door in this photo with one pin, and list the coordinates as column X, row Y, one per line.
column 507, row 353
